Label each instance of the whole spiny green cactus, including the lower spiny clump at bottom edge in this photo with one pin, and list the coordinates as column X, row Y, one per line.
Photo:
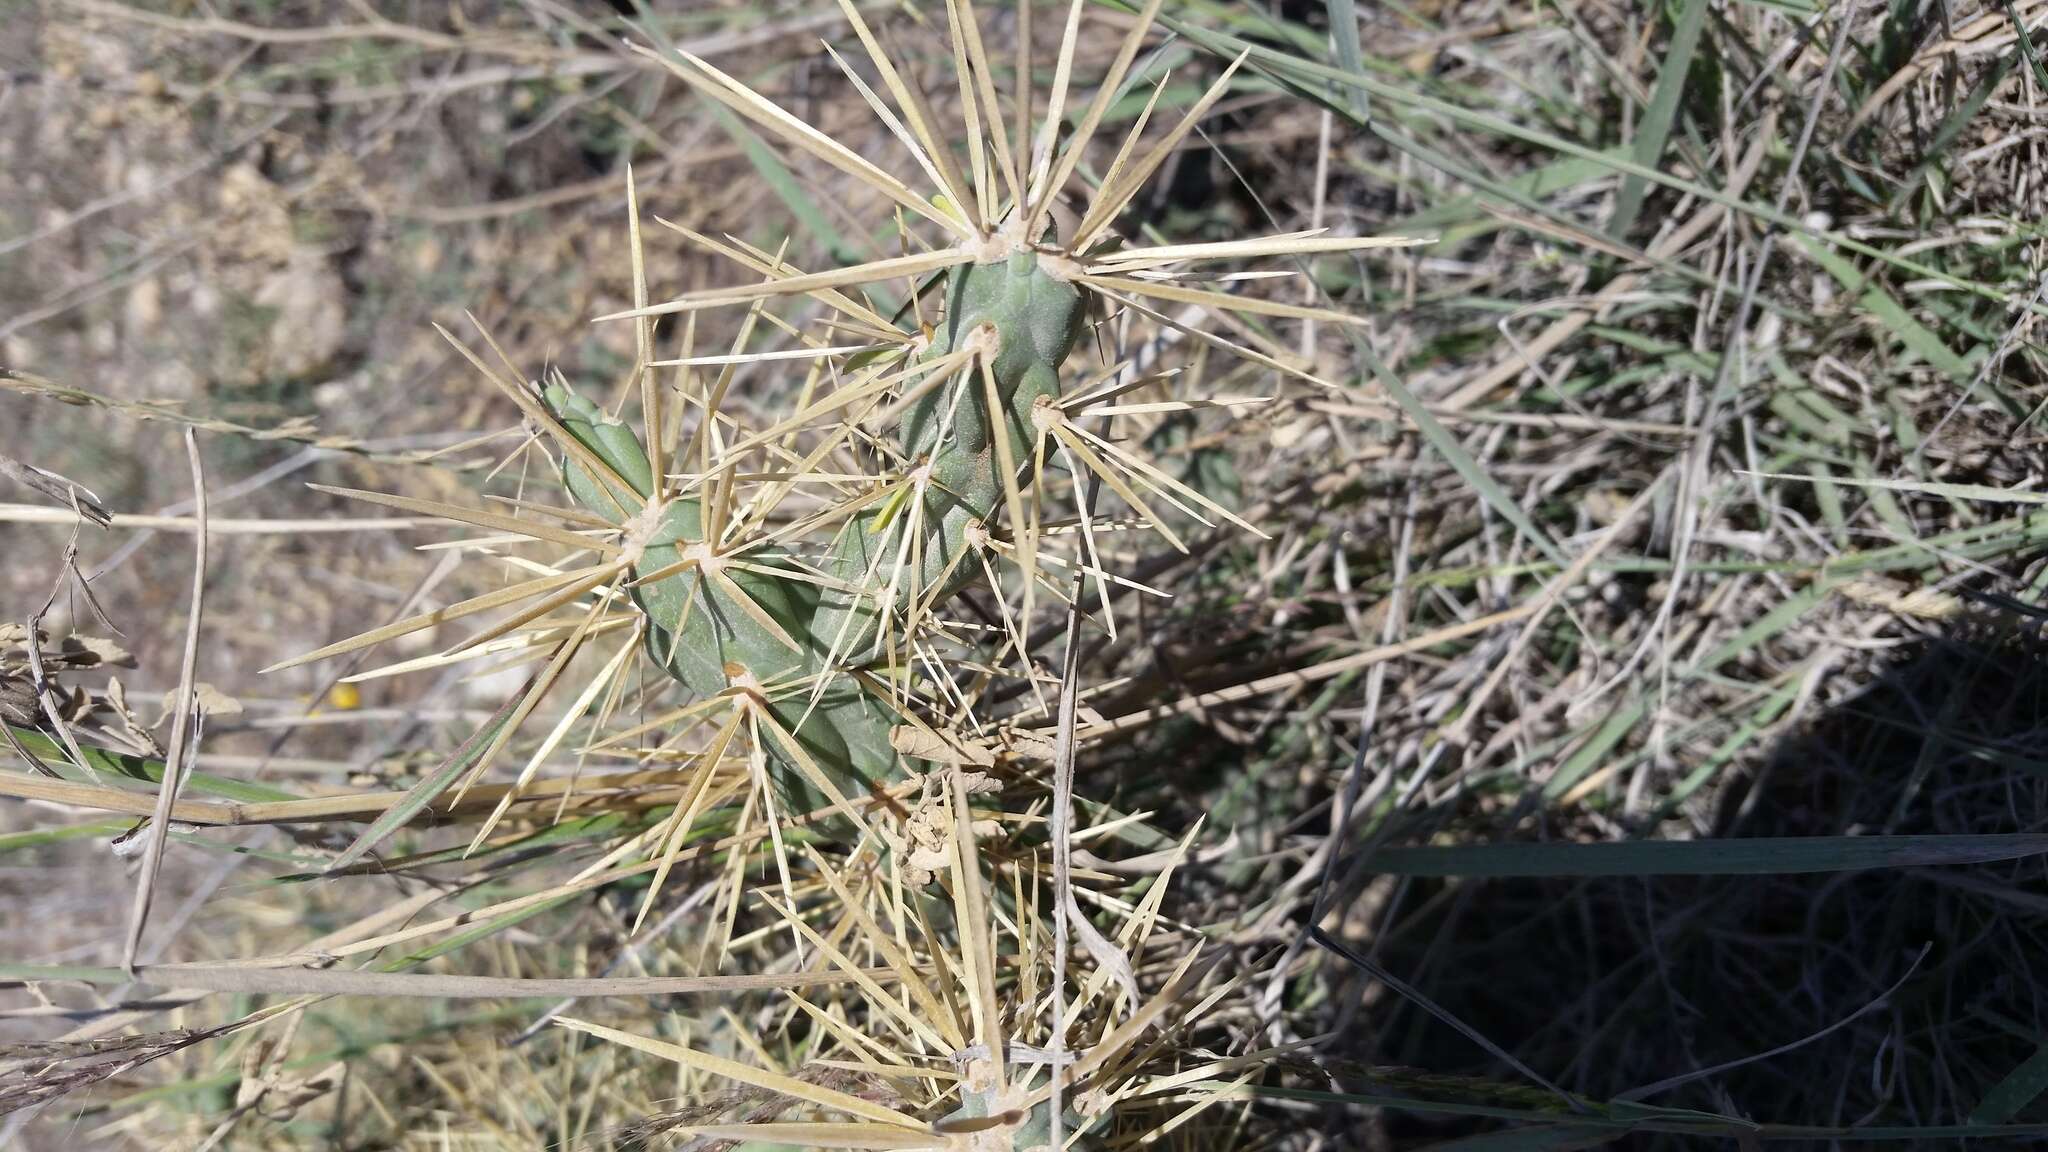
column 943, row 436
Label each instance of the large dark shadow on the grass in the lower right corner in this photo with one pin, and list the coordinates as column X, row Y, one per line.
column 1613, row 985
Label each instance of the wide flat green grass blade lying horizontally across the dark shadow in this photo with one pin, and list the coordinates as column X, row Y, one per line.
column 1764, row 856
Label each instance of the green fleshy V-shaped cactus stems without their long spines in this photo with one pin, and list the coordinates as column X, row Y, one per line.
column 712, row 643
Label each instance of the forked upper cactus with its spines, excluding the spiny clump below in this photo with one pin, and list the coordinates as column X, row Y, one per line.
column 814, row 632
